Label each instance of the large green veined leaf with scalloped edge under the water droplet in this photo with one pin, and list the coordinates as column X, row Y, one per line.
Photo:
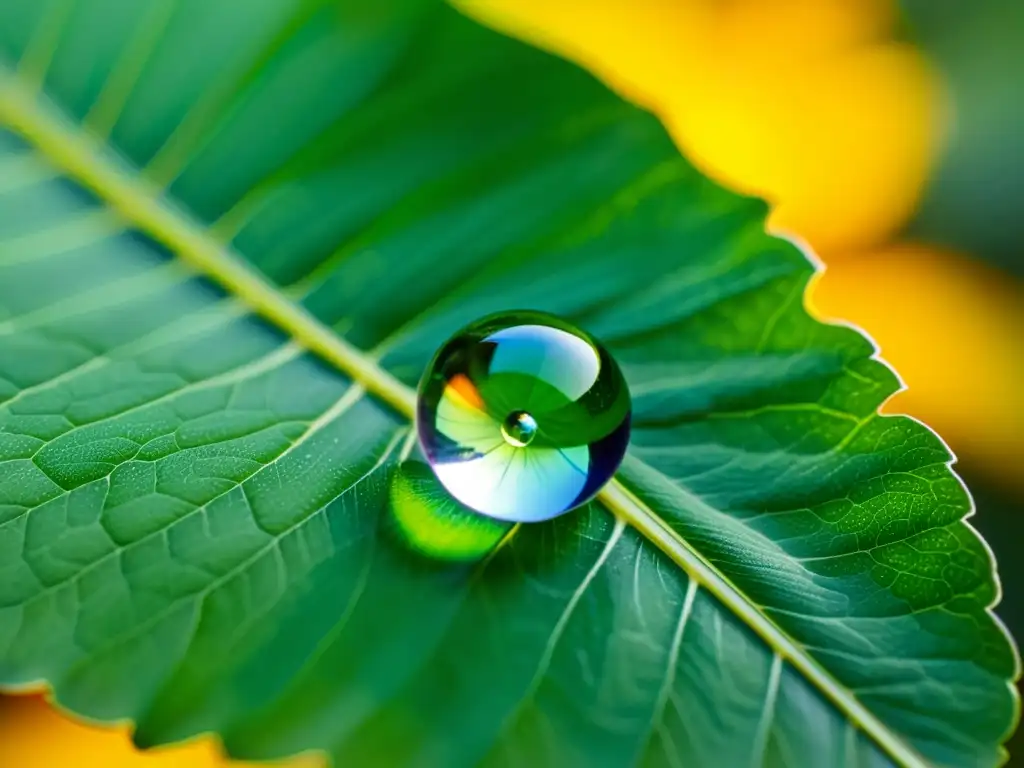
column 232, row 235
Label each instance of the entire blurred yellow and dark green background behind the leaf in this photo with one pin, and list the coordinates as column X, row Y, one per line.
column 887, row 136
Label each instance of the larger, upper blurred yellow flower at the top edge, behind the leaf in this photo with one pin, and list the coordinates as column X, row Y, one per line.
column 809, row 104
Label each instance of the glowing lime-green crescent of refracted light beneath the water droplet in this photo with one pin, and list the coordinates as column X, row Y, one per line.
column 434, row 524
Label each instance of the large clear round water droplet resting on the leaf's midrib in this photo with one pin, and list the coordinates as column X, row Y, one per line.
column 523, row 416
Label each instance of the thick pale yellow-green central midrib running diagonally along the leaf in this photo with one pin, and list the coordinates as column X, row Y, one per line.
column 93, row 165
